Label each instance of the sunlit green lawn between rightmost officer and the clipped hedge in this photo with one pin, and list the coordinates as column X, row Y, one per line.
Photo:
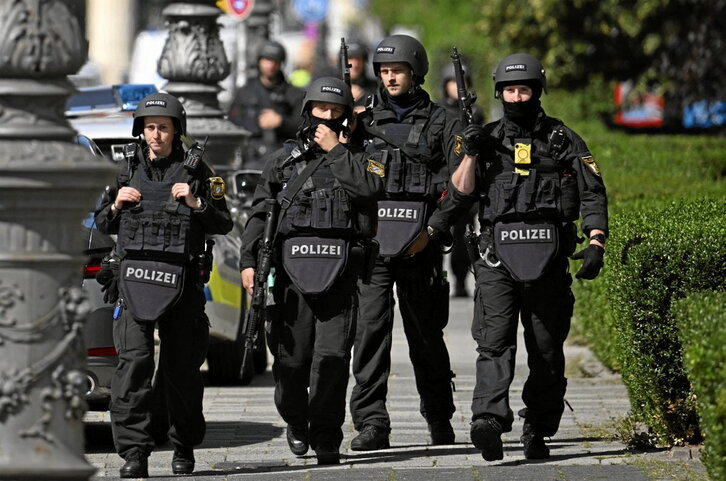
column 639, row 171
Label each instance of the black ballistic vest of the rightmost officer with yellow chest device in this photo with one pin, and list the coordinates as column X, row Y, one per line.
column 544, row 189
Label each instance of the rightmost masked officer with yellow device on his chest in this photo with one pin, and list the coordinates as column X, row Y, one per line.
column 533, row 177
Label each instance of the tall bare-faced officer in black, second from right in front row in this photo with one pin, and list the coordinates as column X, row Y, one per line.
column 416, row 141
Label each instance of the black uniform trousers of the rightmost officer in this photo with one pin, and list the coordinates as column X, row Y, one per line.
column 545, row 309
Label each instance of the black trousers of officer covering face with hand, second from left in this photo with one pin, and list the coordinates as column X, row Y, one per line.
column 310, row 338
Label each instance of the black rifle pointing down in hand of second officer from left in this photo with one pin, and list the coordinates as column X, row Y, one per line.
column 256, row 314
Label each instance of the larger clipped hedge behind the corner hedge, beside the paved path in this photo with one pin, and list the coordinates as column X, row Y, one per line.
column 654, row 256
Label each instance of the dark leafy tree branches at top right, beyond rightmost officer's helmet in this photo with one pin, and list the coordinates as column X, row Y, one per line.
column 676, row 42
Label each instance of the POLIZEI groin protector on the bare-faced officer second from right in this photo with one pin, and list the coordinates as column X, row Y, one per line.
column 399, row 223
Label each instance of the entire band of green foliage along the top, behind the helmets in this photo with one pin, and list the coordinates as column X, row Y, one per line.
column 677, row 43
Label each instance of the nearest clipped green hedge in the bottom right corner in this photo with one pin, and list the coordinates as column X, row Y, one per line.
column 701, row 323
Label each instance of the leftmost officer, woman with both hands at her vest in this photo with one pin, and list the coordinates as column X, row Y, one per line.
column 162, row 206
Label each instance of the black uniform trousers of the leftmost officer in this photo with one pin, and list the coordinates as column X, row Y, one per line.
column 184, row 338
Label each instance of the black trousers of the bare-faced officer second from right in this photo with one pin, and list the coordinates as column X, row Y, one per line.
column 423, row 294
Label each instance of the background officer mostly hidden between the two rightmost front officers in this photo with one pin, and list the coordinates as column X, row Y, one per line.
column 460, row 263
